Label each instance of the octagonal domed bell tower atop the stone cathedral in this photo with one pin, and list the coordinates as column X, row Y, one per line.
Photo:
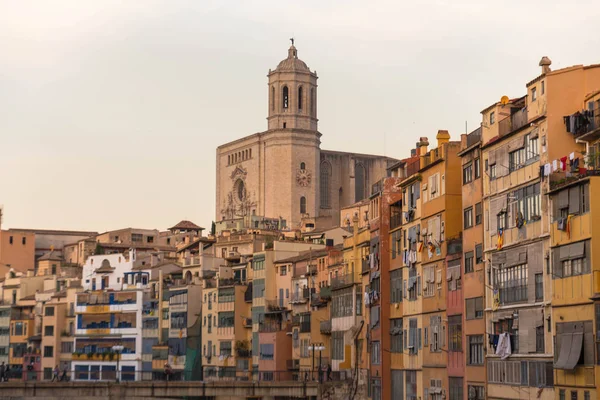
column 292, row 95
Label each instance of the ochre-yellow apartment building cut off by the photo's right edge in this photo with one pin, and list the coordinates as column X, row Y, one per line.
column 575, row 203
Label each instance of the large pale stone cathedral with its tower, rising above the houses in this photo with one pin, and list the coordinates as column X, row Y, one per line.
column 283, row 172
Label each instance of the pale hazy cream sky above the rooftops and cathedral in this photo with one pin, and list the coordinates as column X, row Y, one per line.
column 111, row 111
